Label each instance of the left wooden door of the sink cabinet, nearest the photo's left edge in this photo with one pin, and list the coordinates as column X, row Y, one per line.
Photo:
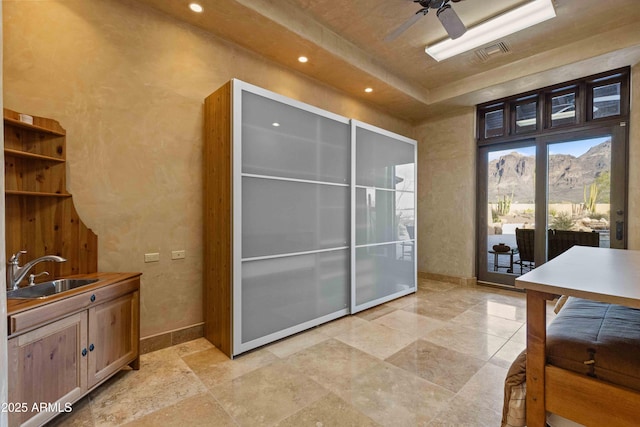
column 47, row 366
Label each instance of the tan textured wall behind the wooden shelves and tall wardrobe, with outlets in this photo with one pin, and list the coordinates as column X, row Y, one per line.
column 128, row 84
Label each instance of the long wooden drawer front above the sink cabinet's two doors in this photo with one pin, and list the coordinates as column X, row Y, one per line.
column 22, row 322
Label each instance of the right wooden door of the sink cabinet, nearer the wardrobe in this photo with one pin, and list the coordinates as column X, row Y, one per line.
column 113, row 336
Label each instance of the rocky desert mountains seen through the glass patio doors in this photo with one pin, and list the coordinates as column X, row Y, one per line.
column 514, row 173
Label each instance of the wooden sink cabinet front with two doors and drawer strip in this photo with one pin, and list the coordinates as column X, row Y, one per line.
column 60, row 351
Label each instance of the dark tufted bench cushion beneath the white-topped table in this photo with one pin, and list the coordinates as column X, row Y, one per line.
column 597, row 339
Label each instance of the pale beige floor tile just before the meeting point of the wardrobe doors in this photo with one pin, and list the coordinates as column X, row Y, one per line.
column 377, row 340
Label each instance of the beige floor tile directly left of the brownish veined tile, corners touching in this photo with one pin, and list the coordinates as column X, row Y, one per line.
column 333, row 364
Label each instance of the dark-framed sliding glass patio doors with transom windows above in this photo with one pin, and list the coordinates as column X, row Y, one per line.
column 552, row 173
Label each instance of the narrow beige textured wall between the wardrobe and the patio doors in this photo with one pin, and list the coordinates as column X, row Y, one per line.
column 446, row 195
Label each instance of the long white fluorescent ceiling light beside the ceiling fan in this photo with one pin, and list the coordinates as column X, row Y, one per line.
column 501, row 26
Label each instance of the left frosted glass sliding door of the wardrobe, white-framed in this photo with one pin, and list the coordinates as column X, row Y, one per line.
column 292, row 231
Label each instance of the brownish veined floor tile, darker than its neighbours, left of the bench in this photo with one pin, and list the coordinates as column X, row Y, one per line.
column 439, row 365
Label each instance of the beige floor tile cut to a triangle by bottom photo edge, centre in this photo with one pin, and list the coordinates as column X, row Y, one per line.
column 328, row 411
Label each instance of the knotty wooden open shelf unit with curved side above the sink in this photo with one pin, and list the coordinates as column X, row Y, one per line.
column 40, row 215
